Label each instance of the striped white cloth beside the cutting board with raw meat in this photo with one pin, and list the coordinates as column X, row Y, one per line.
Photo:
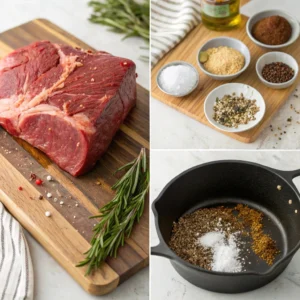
column 16, row 272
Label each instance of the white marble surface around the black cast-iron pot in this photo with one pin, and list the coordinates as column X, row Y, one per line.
column 165, row 282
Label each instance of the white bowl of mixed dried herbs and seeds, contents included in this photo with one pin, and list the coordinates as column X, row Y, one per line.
column 234, row 107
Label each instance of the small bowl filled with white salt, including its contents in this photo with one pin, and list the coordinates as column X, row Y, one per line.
column 177, row 78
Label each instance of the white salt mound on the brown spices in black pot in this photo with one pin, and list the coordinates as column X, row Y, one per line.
column 225, row 251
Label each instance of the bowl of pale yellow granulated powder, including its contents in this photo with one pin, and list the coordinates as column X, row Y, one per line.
column 223, row 58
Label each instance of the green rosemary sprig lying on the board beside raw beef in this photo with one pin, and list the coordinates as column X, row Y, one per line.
column 120, row 214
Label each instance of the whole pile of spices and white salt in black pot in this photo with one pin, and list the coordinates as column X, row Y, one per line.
column 220, row 238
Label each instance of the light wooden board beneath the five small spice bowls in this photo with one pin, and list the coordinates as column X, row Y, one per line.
column 192, row 105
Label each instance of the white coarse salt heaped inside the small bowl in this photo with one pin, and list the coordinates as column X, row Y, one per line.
column 178, row 80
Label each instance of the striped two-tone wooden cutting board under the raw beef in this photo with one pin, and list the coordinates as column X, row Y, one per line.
column 66, row 234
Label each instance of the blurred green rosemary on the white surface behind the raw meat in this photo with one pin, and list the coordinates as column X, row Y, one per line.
column 123, row 16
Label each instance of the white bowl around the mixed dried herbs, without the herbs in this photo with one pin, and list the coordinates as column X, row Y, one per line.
column 228, row 89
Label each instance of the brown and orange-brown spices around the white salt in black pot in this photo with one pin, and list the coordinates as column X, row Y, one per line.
column 243, row 219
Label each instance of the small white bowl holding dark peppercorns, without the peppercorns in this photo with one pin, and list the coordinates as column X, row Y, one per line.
column 271, row 57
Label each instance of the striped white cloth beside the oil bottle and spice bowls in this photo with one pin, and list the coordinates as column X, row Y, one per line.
column 171, row 21
